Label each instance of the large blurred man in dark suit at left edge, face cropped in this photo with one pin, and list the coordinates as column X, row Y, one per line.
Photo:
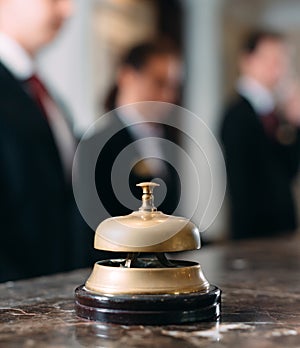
column 37, row 211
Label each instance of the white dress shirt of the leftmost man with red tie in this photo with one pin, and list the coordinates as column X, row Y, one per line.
column 22, row 66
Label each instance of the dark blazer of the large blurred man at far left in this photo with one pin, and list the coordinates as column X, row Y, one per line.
column 37, row 210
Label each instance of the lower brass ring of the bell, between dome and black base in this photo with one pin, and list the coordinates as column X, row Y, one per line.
column 110, row 277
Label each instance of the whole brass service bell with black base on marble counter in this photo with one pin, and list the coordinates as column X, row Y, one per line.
column 146, row 287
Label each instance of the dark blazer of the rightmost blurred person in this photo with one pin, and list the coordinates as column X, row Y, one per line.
column 260, row 173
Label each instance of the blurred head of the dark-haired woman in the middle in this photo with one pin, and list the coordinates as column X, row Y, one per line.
column 151, row 62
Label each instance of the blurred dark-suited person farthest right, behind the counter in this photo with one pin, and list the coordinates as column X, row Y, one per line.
column 261, row 141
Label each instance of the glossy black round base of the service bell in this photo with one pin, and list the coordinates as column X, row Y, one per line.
column 149, row 309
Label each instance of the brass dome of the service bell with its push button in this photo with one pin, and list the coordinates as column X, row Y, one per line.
column 147, row 230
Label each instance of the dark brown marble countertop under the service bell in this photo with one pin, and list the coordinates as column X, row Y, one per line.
column 260, row 281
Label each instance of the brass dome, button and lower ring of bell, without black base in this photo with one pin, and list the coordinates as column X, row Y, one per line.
column 151, row 231
